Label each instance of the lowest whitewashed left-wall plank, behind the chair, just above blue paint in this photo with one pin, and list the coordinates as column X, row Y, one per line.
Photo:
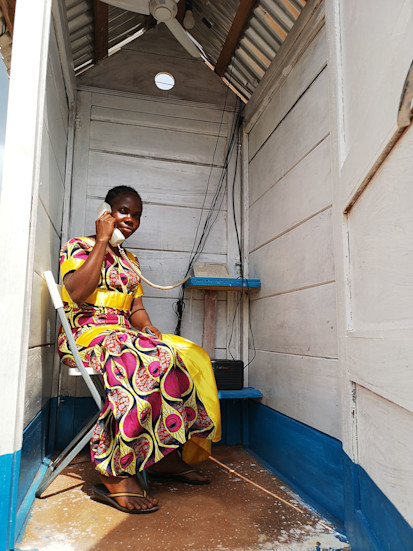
column 39, row 377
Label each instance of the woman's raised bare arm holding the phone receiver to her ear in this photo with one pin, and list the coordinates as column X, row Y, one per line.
column 82, row 282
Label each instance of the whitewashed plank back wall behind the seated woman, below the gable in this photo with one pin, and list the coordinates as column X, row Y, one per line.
column 164, row 149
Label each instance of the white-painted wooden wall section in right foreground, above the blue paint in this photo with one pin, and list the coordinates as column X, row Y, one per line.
column 372, row 170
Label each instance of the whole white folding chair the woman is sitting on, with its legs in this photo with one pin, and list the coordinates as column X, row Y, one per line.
column 81, row 440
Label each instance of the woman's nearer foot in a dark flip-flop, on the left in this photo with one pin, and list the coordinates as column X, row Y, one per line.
column 128, row 485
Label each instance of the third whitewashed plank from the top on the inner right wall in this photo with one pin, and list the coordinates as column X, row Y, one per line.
column 301, row 193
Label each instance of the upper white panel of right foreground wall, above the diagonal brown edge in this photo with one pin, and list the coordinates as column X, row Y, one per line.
column 369, row 65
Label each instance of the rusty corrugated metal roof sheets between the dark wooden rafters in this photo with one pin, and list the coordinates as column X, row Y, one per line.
column 267, row 28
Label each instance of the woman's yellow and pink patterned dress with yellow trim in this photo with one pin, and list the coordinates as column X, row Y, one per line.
column 152, row 404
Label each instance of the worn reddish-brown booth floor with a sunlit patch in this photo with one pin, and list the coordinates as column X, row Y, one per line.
column 229, row 514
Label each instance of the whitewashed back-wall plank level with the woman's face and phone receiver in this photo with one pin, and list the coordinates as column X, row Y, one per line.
column 171, row 228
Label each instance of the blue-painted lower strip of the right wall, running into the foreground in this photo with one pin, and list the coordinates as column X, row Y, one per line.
column 315, row 466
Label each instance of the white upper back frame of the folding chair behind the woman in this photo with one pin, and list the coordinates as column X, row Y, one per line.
column 80, row 369
